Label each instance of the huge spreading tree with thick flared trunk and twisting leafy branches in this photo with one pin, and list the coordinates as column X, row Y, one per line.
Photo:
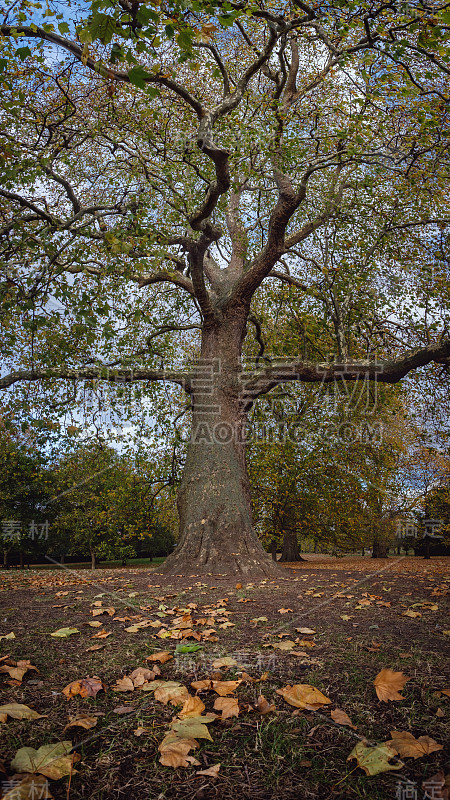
column 163, row 165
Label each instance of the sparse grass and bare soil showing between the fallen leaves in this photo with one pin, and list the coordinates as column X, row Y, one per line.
column 288, row 753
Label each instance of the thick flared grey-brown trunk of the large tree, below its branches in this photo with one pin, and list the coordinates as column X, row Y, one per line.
column 216, row 529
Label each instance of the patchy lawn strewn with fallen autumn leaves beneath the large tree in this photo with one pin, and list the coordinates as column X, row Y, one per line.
column 364, row 621
